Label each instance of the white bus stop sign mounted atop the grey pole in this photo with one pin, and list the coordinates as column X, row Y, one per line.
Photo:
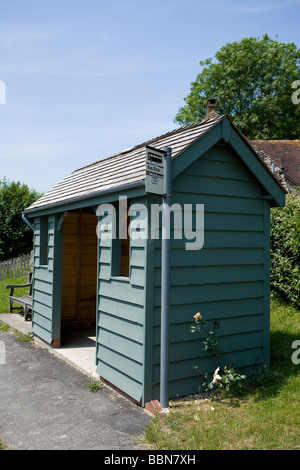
column 154, row 171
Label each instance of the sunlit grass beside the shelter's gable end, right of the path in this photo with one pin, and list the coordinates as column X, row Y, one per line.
column 264, row 418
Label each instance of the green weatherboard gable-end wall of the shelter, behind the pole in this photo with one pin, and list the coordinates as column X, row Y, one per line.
column 225, row 280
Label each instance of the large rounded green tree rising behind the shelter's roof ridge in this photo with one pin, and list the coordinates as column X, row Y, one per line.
column 252, row 80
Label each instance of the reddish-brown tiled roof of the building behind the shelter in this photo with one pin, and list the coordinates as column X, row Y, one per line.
column 286, row 153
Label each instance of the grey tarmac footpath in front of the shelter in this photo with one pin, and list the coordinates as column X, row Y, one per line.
column 45, row 404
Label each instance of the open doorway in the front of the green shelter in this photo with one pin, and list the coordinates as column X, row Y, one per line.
column 79, row 280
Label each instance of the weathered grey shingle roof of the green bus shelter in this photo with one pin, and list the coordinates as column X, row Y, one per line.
column 124, row 169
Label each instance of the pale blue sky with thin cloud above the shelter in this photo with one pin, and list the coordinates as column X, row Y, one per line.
column 88, row 78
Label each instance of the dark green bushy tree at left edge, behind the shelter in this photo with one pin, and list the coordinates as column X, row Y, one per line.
column 15, row 236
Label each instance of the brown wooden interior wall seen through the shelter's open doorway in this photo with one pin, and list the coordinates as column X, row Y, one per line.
column 79, row 270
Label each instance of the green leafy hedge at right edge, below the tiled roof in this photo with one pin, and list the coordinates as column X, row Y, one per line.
column 285, row 250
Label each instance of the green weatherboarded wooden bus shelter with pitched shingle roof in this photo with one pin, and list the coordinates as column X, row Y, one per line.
column 114, row 284
